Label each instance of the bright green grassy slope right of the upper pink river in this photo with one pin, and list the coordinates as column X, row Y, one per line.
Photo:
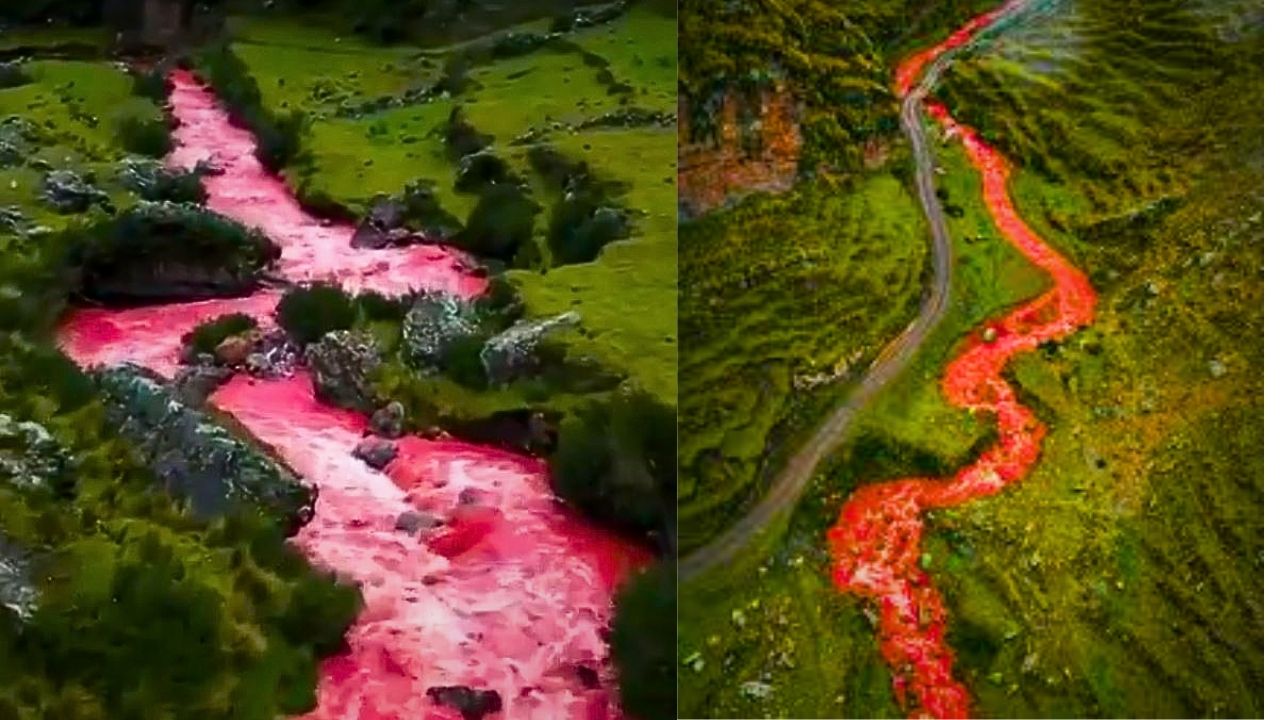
column 627, row 297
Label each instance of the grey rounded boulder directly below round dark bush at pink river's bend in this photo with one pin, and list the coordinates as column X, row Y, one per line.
column 342, row 366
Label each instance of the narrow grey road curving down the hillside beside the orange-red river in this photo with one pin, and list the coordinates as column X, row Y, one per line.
column 790, row 484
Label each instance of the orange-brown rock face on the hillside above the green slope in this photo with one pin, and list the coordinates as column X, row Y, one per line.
column 758, row 148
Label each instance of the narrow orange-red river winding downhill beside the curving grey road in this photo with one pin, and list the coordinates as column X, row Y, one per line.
column 876, row 544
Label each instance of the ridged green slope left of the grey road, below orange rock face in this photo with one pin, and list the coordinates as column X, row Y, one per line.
column 783, row 302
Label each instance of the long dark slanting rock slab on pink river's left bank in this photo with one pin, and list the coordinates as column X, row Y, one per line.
column 195, row 458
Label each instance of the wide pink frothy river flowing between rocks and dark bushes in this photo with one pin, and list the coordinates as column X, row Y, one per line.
column 513, row 595
